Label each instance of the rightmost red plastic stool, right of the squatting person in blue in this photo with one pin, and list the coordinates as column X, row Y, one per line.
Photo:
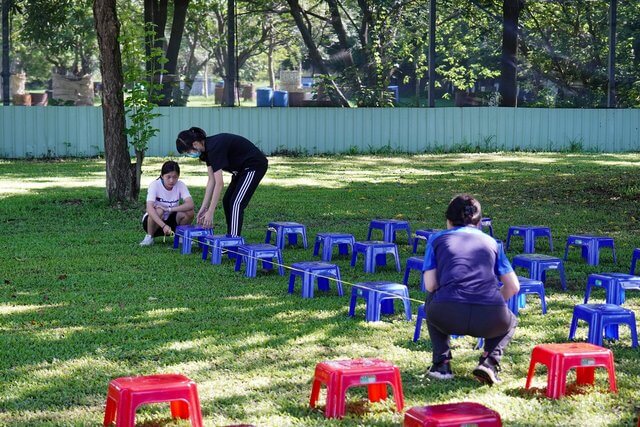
column 559, row 358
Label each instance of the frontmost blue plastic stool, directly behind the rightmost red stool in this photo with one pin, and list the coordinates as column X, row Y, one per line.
column 599, row 316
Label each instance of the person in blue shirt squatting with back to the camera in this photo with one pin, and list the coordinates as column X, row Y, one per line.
column 461, row 270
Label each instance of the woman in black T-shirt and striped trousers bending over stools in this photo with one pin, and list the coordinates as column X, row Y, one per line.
column 230, row 153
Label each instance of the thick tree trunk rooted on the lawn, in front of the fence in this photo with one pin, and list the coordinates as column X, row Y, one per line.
column 121, row 180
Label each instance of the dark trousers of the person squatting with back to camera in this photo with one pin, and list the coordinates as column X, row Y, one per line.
column 495, row 323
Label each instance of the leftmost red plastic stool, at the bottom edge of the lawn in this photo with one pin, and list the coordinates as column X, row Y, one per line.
column 127, row 393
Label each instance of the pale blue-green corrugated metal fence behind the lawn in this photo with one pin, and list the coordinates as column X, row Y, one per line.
column 77, row 131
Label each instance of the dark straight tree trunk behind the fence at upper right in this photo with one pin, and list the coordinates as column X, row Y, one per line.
column 509, row 62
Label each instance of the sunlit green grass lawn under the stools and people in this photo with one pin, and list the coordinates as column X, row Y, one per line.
column 81, row 303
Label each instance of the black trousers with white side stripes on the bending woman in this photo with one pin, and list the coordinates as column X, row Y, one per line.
column 236, row 198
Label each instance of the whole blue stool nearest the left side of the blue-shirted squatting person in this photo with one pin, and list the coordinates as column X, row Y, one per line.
column 379, row 298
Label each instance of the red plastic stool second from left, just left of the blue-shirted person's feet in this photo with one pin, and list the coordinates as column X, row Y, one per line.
column 339, row 375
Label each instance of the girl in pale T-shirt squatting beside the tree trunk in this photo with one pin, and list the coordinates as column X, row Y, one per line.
column 164, row 211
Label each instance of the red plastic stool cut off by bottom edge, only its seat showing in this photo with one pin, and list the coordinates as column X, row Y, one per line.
column 452, row 414
